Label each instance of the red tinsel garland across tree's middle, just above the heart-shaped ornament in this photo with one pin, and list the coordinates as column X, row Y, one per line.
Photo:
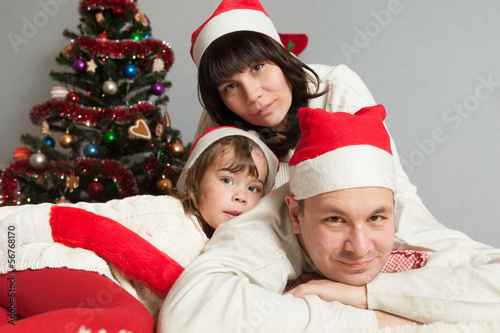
column 52, row 109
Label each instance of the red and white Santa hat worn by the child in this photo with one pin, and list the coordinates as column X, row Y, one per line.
column 214, row 134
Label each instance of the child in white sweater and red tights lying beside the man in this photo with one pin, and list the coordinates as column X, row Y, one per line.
column 74, row 269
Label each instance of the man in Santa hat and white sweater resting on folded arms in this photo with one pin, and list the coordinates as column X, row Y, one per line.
column 339, row 221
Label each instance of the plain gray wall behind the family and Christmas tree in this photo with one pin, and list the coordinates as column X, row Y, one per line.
column 435, row 65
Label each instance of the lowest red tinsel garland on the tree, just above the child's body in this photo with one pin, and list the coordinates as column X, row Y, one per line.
column 110, row 169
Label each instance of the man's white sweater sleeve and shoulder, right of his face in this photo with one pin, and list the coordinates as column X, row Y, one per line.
column 459, row 283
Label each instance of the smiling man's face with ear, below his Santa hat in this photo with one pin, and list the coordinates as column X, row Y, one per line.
column 348, row 234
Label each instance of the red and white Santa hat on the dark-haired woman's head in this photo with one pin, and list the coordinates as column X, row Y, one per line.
column 230, row 16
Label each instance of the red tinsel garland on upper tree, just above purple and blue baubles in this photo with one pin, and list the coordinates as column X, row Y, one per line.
column 119, row 49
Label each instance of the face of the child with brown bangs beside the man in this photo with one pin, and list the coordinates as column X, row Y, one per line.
column 225, row 194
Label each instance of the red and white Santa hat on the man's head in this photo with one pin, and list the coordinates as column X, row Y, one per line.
column 339, row 151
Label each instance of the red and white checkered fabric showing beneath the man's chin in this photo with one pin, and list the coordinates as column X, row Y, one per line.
column 399, row 261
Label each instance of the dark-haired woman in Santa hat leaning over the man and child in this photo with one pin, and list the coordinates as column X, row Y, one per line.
column 247, row 79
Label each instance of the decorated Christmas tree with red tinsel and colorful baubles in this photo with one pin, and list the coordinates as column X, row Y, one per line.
column 110, row 109
